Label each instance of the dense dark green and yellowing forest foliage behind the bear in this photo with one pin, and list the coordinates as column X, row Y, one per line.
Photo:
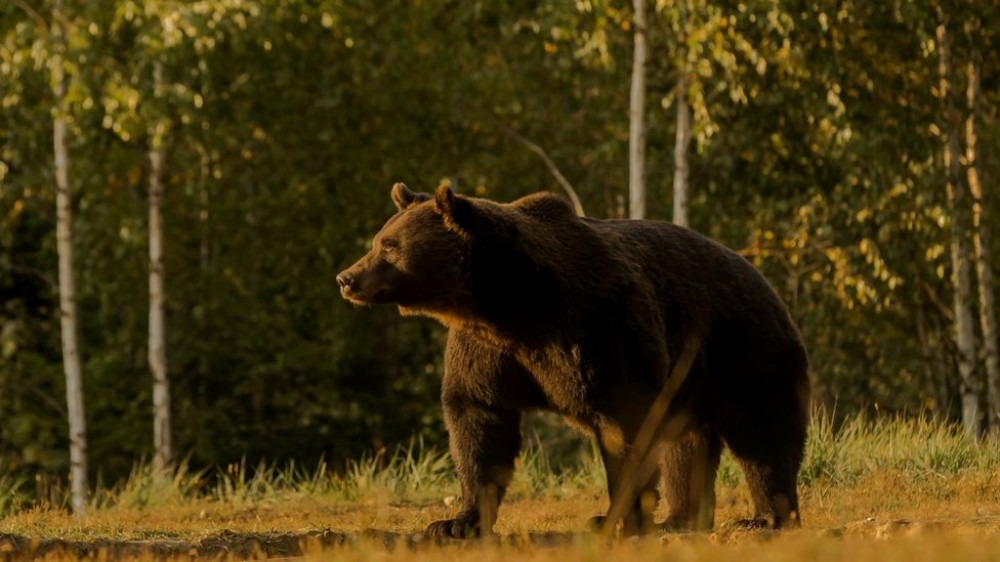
column 817, row 128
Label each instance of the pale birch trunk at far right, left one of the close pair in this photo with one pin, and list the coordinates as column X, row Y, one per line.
column 960, row 254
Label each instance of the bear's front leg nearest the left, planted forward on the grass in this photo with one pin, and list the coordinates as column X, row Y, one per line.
column 482, row 409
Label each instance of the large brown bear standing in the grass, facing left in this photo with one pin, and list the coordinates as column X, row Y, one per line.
column 590, row 318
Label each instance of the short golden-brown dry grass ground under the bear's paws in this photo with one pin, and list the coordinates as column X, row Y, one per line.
column 880, row 518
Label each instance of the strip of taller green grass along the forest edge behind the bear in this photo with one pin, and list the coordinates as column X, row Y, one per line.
column 910, row 449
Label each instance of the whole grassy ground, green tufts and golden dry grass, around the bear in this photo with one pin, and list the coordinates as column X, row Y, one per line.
column 884, row 490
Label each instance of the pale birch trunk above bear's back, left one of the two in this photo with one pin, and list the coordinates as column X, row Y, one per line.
column 637, row 134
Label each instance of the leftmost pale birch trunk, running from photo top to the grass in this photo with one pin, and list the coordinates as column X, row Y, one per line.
column 67, row 285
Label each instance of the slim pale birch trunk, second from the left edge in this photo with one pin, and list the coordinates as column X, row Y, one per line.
column 162, row 449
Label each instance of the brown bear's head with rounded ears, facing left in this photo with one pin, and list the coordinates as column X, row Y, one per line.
column 416, row 259
